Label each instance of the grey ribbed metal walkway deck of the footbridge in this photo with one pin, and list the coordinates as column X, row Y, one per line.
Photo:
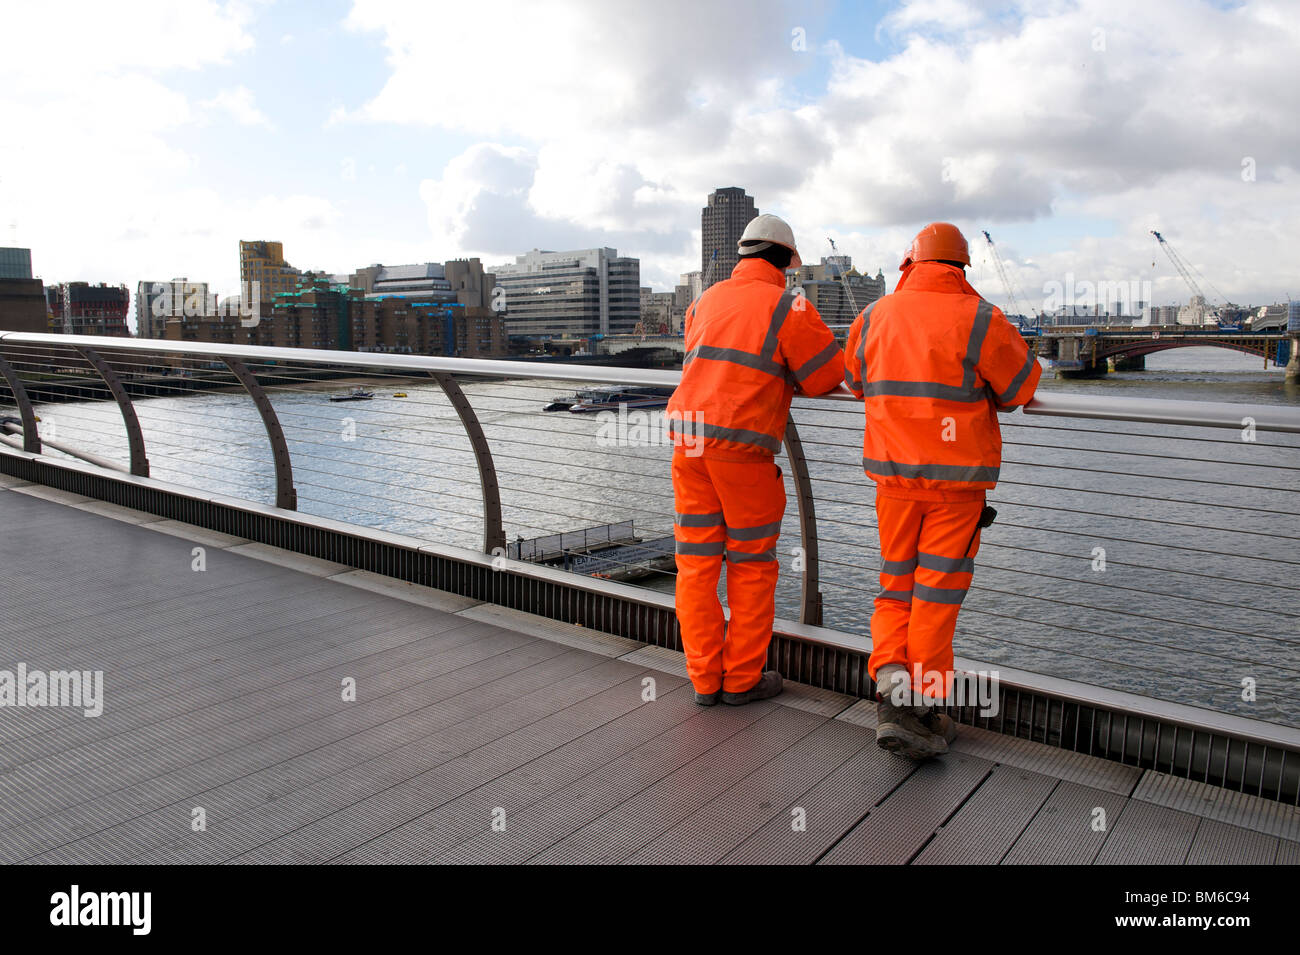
column 480, row 735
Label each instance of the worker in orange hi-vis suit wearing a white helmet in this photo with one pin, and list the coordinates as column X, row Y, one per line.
column 749, row 342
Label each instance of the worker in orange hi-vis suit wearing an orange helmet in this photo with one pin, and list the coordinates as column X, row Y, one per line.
column 934, row 364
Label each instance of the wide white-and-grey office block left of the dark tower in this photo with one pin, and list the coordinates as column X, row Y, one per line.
column 571, row 294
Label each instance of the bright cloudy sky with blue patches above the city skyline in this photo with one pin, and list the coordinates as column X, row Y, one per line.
column 144, row 138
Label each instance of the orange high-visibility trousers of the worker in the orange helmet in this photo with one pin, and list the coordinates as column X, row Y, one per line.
column 928, row 559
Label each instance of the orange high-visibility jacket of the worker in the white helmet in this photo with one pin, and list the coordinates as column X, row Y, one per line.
column 749, row 342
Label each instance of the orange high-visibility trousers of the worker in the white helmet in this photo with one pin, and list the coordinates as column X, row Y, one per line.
column 726, row 510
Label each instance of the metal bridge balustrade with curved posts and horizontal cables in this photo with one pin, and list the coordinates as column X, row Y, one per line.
column 1145, row 549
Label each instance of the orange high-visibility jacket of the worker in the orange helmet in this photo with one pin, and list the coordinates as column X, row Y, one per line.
column 935, row 363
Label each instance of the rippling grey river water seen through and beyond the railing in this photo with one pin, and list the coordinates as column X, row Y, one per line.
column 1146, row 558
